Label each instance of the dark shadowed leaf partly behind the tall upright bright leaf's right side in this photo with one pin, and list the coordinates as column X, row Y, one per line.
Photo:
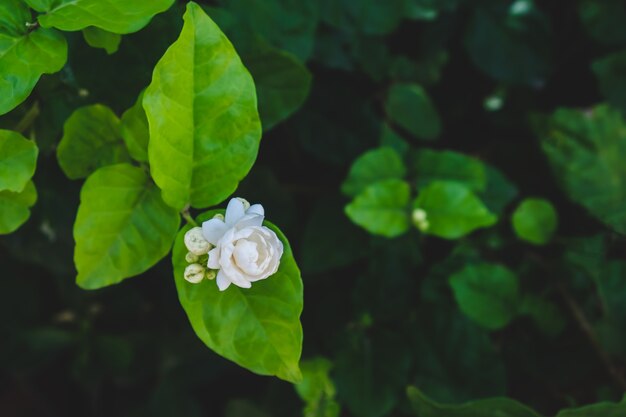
column 282, row 82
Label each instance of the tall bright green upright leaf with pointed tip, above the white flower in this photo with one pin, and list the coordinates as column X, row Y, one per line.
column 201, row 109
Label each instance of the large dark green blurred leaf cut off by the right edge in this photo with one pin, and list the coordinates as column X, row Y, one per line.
column 586, row 150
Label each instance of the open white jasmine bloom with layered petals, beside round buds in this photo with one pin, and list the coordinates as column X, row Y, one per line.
column 245, row 250
